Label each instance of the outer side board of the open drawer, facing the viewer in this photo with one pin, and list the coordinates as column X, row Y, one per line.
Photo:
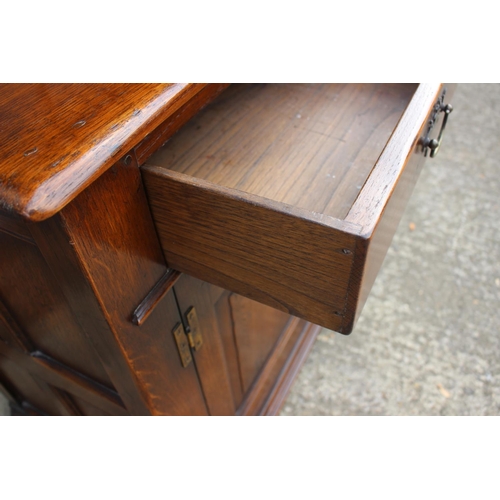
column 288, row 258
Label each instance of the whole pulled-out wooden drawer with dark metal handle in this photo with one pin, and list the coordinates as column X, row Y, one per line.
column 290, row 194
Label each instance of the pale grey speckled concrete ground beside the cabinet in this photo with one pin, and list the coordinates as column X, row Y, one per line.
column 428, row 340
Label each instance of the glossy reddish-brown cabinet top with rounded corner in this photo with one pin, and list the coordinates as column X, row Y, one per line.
column 56, row 139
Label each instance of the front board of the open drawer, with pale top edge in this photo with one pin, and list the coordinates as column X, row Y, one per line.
column 381, row 203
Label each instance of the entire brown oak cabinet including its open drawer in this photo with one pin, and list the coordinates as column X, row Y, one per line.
column 286, row 194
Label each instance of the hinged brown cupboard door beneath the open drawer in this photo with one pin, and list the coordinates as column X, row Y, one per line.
column 239, row 336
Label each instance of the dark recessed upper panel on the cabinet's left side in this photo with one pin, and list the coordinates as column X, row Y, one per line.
column 37, row 311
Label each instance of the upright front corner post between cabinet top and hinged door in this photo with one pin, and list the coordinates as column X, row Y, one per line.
column 113, row 236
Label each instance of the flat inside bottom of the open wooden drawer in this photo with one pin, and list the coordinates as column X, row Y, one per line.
column 309, row 146
